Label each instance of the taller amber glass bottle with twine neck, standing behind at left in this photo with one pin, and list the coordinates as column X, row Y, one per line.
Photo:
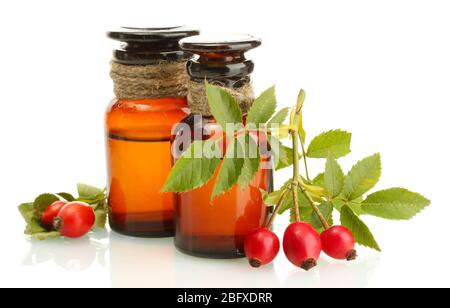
column 149, row 77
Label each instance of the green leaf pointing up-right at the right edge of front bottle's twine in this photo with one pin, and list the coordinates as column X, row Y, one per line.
column 263, row 107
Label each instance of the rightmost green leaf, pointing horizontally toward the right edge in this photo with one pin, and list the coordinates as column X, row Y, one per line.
column 395, row 204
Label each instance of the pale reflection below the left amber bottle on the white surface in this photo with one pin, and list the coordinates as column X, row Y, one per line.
column 143, row 263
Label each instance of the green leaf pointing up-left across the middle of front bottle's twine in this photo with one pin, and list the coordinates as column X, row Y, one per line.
column 223, row 106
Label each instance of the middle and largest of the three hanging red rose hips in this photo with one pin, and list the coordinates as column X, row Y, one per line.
column 302, row 245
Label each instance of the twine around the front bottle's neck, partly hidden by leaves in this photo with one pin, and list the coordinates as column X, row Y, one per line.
column 198, row 101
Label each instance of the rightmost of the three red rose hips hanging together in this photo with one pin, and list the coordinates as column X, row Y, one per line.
column 339, row 243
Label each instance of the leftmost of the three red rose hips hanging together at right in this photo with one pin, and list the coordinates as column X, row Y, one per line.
column 261, row 247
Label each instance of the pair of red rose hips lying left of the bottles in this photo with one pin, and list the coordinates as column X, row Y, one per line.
column 70, row 219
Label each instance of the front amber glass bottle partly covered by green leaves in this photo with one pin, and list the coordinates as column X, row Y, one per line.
column 218, row 230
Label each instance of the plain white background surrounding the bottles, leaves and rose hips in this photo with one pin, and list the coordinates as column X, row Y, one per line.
column 380, row 69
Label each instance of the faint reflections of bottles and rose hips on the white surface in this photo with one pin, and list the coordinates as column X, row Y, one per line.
column 135, row 262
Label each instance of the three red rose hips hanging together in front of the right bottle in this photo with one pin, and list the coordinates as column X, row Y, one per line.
column 302, row 245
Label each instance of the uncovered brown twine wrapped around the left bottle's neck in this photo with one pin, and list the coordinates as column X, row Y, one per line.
column 136, row 82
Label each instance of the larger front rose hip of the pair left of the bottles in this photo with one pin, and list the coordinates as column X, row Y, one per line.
column 75, row 219
